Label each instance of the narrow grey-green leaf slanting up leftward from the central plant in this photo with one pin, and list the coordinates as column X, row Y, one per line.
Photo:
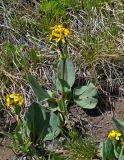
column 39, row 91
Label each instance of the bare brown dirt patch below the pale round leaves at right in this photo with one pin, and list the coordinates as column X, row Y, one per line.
column 97, row 122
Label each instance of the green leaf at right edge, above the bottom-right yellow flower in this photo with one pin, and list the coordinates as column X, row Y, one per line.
column 119, row 124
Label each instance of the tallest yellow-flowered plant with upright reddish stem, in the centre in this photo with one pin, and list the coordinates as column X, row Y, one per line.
column 84, row 96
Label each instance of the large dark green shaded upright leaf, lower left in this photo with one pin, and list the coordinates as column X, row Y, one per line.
column 38, row 121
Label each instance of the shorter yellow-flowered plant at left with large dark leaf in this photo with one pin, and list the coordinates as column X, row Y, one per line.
column 33, row 128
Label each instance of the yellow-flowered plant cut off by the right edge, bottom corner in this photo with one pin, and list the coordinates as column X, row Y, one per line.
column 113, row 147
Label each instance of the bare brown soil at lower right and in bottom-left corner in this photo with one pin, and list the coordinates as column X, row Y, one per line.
column 96, row 122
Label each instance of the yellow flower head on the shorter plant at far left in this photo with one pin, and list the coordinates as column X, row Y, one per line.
column 14, row 99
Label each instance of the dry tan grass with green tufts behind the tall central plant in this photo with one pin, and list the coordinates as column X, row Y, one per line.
column 96, row 46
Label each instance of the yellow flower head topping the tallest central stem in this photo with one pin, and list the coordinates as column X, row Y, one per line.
column 59, row 33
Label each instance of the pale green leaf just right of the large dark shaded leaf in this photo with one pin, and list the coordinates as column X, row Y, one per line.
column 54, row 127
